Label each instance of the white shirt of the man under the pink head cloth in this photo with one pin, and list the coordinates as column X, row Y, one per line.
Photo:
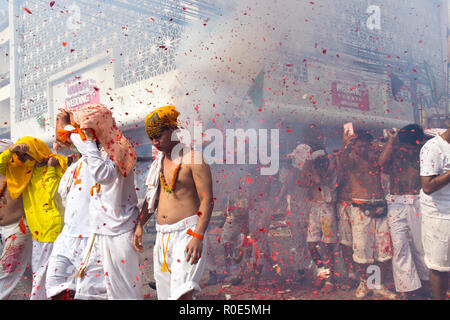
column 114, row 209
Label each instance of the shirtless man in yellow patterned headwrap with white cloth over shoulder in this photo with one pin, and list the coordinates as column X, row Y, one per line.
column 180, row 191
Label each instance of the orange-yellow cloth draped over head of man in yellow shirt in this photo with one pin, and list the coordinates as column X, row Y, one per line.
column 18, row 173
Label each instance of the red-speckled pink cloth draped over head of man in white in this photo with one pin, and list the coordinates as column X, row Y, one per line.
column 100, row 119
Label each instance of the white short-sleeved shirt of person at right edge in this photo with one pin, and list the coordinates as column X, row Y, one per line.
column 434, row 161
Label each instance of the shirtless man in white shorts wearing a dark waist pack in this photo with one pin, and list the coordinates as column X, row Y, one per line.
column 368, row 215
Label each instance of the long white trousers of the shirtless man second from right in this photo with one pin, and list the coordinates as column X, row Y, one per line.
column 408, row 263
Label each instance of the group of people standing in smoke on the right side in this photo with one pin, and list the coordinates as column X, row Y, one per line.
column 371, row 201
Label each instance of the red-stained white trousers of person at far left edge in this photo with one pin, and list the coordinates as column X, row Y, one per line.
column 15, row 258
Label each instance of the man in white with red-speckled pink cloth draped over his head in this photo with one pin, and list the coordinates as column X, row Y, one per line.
column 113, row 211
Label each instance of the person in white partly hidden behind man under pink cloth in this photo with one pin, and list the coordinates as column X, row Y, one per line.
column 67, row 253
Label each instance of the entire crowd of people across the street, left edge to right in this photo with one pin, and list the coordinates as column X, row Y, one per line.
column 77, row 223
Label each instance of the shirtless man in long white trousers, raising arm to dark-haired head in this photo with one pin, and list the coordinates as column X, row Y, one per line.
column 400, row 160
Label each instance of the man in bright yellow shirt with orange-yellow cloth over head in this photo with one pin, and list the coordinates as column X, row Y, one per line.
column 33, row 172
